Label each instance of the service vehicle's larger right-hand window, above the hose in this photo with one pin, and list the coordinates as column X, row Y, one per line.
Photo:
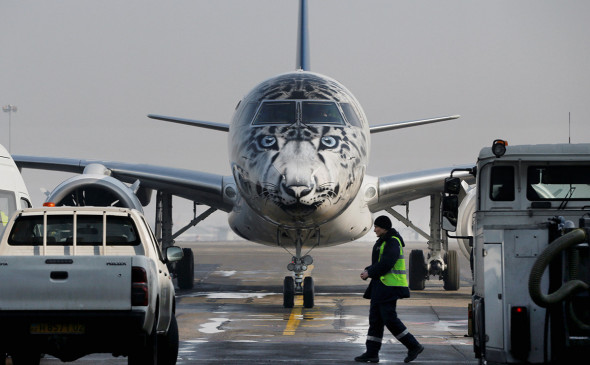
column 558, row 182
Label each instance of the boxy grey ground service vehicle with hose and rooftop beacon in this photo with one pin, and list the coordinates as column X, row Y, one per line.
column 530, row 255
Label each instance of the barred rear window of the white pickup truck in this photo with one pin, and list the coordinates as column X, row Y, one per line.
column 28, row 231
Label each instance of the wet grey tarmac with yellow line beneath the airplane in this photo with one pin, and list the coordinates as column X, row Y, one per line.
column 235, row 315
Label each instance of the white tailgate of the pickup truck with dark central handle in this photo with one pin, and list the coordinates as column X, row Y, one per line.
column 65, row 283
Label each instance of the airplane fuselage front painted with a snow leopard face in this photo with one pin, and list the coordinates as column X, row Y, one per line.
column 299, row 146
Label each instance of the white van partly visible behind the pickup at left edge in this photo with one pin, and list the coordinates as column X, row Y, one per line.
column 13, row 192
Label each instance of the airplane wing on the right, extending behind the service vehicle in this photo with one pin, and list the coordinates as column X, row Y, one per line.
column 397, row 189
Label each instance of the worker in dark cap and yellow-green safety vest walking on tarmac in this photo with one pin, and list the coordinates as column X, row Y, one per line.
column 388, row 284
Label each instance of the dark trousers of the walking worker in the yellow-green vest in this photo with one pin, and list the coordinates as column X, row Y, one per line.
column 383, row 315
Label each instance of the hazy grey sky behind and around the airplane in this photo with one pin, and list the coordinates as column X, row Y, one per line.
column 84, row 75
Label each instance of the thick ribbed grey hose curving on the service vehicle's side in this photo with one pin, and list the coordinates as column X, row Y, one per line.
column 562, row 243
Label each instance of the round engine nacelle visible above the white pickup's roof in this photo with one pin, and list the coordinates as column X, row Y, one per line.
column 95, row 187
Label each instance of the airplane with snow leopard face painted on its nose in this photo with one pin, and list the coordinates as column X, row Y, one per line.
column 299, row 148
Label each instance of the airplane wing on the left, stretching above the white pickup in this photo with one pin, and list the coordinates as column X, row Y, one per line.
column 197, row 186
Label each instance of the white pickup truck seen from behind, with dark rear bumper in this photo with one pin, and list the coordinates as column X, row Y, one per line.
column 81, row 280
